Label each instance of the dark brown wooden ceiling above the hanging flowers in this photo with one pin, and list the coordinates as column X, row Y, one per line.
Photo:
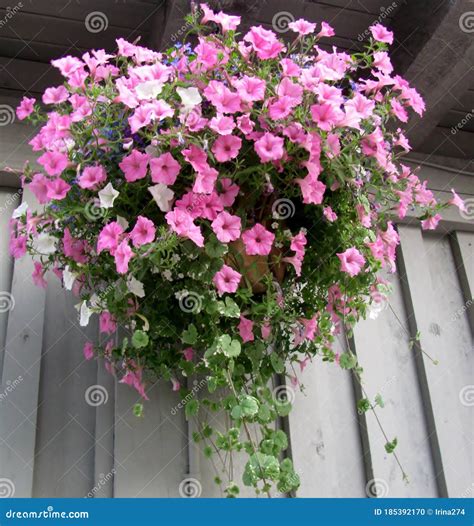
column 433, row 48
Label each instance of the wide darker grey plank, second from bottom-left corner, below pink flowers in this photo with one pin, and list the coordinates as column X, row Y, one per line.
column 64, row 457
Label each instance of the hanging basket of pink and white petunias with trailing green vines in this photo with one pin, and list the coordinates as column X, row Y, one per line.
column 225, row 209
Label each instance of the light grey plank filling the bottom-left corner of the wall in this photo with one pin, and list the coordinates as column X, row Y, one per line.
column 21, row 367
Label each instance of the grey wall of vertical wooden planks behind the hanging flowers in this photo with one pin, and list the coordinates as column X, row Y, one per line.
column 55, row 444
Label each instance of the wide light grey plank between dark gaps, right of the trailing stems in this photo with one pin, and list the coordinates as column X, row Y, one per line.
column 433, row 295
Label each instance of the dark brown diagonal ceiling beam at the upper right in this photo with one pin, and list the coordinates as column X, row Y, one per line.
column 436, row 56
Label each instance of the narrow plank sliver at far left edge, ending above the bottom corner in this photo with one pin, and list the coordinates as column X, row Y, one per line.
column 9, row 198
